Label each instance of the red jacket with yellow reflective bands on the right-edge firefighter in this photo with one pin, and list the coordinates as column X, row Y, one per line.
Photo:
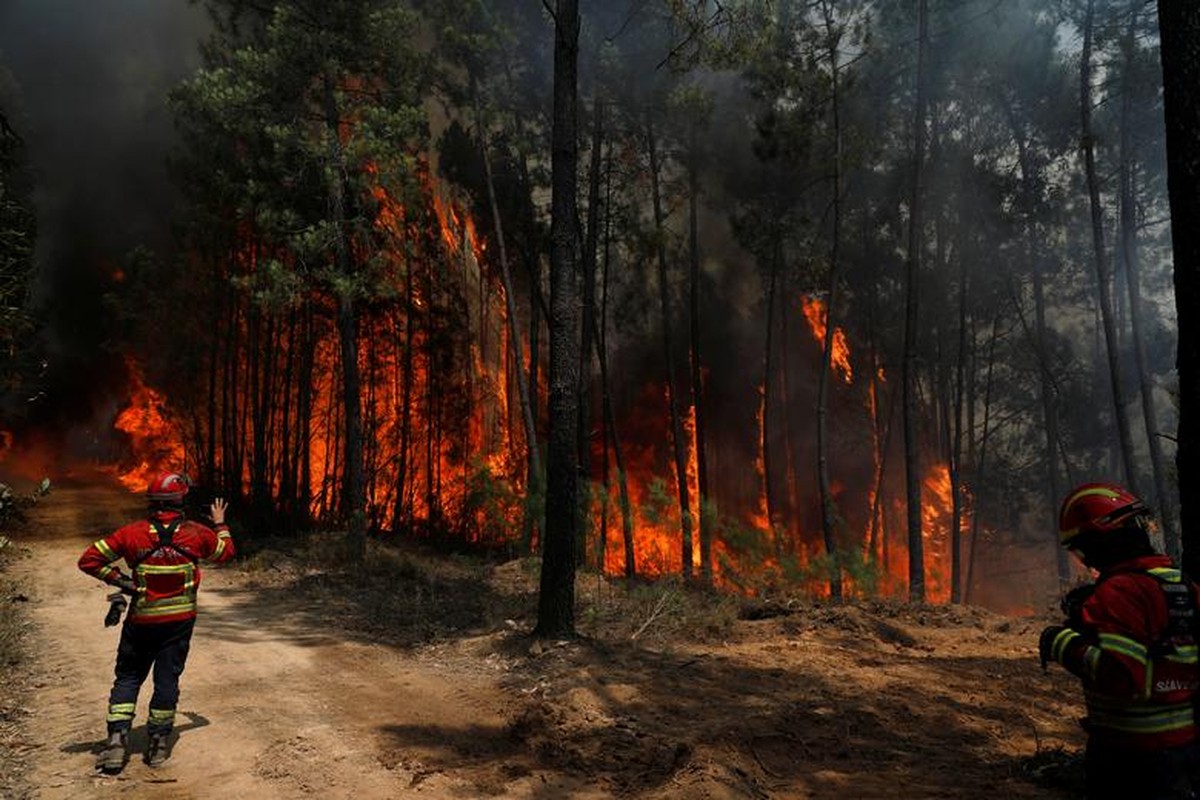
column 1139, row 681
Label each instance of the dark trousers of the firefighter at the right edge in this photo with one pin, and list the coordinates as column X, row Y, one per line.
column 1117, row 774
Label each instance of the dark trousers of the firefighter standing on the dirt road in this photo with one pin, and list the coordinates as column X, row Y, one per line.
column 164, row 648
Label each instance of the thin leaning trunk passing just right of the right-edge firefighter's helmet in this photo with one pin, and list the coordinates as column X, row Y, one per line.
column 1163, row 501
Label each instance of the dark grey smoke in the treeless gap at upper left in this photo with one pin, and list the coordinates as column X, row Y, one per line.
column 94, row 77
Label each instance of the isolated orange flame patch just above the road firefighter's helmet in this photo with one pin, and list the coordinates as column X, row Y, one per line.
column 155, row 443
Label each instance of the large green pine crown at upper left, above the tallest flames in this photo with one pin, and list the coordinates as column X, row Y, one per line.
column 260, row 122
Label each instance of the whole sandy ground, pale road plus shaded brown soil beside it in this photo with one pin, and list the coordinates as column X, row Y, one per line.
column 292, row 694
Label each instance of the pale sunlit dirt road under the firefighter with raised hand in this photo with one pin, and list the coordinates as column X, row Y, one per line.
column 277, row 702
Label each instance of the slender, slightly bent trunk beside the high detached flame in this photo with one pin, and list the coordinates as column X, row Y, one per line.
column 829, row 509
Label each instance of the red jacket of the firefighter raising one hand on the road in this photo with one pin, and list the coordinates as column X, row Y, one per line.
column 167, row 576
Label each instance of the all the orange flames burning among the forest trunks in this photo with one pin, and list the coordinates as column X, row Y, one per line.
column 445, row 453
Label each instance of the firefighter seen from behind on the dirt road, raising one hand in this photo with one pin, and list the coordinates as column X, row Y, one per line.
column 163, row 555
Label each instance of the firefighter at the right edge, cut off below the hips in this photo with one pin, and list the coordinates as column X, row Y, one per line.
column 1131, row 640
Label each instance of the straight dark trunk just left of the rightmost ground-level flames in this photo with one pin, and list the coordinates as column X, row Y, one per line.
column 911, row 408
